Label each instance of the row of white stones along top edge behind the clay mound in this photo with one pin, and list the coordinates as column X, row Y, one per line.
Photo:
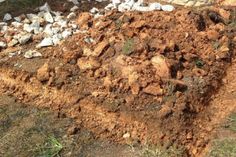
column 132, row 5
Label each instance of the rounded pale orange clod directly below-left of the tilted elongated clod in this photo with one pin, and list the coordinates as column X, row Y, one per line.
column 88, row 63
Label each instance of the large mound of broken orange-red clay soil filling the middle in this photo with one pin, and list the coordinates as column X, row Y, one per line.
column 144, row 78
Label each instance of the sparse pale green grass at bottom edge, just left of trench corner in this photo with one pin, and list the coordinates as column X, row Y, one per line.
column 159, row 151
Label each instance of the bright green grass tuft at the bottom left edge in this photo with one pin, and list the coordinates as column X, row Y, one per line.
column 50, row 148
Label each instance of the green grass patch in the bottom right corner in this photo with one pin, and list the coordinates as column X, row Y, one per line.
column 223, row 148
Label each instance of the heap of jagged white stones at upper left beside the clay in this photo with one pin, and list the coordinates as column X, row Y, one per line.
column 48, row 26
